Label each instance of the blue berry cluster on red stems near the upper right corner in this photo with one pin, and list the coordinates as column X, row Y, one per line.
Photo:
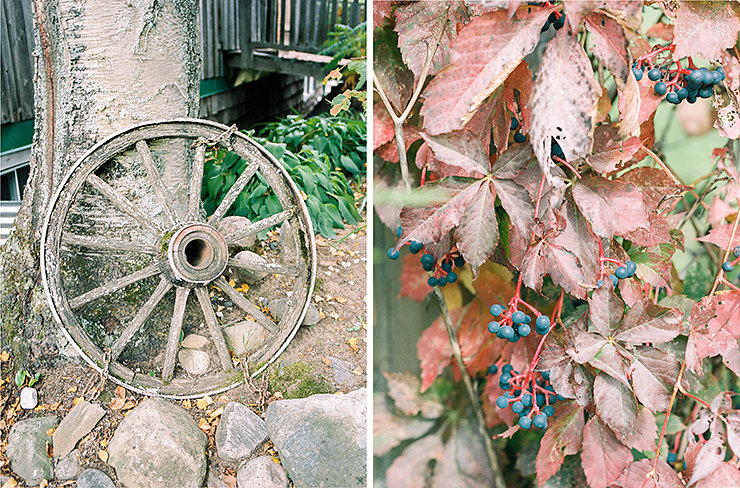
column 678, row 83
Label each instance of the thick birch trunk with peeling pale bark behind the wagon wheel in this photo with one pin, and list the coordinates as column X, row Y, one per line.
column 100, row 66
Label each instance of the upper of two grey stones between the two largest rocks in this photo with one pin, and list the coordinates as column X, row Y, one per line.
column 240, row 433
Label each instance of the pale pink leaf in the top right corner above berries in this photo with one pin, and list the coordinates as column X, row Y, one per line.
column 705, row 28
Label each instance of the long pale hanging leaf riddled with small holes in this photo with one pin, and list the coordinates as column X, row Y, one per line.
column 564, row 101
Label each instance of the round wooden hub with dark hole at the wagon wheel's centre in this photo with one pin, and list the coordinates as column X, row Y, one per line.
column 197, row 253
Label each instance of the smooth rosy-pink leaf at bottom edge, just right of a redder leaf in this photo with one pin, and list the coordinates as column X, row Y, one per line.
column 603, row 457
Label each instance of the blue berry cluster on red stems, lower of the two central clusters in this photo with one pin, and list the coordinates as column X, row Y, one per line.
column 533, row 404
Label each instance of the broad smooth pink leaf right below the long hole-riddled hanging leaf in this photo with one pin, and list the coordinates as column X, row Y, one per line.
column 612, row 207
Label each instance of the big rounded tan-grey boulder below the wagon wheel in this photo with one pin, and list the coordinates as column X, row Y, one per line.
column 158, row 445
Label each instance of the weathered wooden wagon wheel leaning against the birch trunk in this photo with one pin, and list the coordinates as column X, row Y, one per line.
column 131, row 262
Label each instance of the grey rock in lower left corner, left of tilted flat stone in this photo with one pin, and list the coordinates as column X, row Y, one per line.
column 27, row 449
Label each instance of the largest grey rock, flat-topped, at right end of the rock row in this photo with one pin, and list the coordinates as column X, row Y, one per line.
column 321, row 439
